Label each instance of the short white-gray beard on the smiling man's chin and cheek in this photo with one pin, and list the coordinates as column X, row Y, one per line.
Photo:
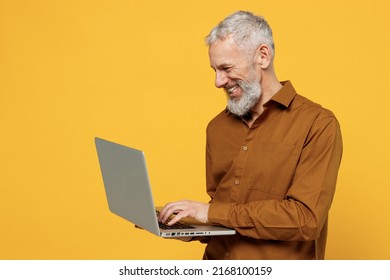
column 251, row 95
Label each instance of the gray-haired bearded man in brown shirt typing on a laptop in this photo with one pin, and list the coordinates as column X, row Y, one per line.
column 272, row 155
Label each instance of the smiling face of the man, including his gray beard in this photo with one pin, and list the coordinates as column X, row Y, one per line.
column 237, row 73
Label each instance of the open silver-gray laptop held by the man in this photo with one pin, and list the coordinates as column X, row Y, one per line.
column 129, row 193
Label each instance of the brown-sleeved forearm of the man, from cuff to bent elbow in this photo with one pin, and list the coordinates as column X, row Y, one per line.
column 286, row 220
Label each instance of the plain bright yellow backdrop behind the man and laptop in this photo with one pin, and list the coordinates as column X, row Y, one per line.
column 137, row 72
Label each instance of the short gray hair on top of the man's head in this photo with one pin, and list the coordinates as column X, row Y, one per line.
column 247, row 30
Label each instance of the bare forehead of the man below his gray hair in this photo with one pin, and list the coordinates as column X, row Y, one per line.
column 224, row 52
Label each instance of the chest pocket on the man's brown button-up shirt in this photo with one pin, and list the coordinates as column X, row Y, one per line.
column 272, row 169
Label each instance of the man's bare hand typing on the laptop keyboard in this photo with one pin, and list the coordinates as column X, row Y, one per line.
column 184, row 208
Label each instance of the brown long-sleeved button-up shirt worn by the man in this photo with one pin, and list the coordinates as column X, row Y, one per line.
column 273, row 182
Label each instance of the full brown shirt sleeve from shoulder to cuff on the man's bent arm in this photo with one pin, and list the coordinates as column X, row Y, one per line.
column 304, row 210
